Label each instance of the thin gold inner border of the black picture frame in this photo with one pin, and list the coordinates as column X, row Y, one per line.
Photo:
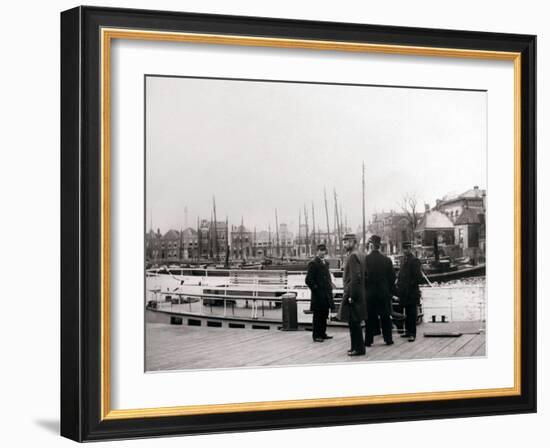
column 107, row 35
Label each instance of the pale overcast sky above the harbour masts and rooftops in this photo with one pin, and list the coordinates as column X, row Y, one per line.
column 258, row 146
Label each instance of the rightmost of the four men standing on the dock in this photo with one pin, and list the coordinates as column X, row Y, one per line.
column 408, row 291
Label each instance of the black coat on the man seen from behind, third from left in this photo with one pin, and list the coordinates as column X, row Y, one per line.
column 380, row 282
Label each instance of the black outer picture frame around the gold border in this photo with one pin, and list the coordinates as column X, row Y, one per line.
column 81, row 224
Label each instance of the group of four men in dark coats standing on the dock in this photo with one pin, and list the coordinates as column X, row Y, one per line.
column 369, row 286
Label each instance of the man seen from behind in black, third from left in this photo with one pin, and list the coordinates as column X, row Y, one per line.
column 380, row 284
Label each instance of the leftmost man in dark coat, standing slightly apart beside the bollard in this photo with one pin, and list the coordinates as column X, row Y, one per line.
column 319, row 281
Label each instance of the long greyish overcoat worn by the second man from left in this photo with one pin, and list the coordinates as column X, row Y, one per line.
column 354, row 288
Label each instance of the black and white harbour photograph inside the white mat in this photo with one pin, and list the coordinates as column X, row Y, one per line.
column 302, row 223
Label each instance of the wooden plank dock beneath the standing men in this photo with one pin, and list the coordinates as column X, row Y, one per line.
column 182, row 347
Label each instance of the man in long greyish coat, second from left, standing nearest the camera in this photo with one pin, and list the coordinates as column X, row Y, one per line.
column 354, row 308
